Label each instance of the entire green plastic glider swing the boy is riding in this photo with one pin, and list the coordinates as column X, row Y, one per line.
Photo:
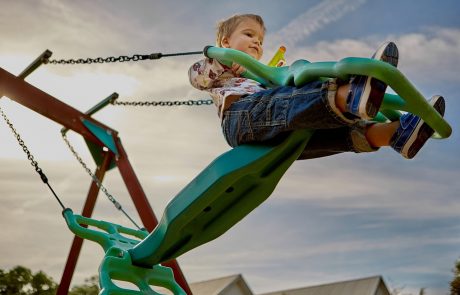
column 236, row 182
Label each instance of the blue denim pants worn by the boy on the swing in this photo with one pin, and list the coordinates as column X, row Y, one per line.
column 268, row 114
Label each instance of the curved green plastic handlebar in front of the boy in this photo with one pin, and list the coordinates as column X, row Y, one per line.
column 301, row 72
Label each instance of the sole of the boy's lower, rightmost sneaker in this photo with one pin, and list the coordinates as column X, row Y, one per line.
column 423, row 130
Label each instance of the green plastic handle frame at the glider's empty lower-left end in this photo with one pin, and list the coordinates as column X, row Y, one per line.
column 117, row 264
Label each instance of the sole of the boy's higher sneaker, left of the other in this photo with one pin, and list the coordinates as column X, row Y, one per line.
column 375, row 89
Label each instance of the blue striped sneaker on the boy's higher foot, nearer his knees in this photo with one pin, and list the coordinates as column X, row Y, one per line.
column 366, row 93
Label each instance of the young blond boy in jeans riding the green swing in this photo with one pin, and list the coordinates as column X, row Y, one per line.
column 339, row 111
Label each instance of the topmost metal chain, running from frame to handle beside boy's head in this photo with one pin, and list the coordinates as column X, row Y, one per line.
column 123, row 58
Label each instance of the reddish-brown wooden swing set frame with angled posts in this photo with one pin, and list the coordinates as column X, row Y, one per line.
column 18, row 90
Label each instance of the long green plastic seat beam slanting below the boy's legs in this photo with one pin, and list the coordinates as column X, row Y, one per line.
column 226, row 191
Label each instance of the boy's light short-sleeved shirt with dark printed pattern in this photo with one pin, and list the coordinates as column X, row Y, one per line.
column 219, row 81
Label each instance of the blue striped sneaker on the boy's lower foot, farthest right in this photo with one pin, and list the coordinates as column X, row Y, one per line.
column 412, row 134
